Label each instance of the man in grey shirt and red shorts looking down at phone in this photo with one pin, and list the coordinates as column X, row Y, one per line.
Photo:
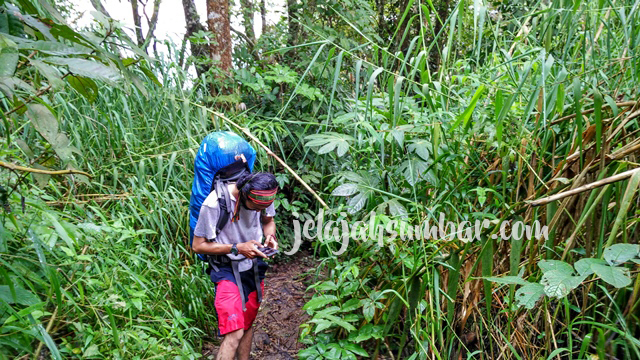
column 235, row 261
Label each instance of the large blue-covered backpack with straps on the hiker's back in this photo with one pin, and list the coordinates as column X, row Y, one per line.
column 214, row 167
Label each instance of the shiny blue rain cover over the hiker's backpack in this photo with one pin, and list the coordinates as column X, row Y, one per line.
column 217, row 150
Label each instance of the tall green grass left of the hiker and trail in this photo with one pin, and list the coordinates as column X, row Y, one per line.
column 101, row 267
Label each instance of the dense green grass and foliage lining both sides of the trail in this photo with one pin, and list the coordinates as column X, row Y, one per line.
column 472, row 115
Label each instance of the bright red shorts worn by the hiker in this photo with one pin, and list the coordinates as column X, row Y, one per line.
column 229, row 307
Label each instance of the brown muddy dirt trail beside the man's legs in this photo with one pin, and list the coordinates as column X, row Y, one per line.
column 276, row 328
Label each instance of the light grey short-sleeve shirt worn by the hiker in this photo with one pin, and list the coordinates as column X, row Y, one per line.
column 248, row 227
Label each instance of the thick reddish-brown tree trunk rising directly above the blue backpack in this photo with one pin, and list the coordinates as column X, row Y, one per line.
column 218, row 21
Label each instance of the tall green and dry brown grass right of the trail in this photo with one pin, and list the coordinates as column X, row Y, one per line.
column 492, row 128
